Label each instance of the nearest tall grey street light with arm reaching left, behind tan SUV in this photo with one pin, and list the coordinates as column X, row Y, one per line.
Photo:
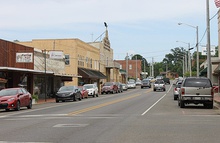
column 197, row 46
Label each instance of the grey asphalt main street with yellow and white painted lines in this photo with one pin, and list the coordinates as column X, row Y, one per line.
column 134, row 116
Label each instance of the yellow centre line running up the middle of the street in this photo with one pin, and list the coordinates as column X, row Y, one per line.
column 101, row 105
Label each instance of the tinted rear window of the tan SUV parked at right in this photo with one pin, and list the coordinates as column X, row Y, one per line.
column 197, row 83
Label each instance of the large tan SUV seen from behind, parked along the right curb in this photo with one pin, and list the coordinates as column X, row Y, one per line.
column 197, row 90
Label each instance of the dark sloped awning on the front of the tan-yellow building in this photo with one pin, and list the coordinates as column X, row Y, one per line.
column 87, row 73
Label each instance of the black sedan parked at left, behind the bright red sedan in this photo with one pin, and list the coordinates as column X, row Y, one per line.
column 68, row 93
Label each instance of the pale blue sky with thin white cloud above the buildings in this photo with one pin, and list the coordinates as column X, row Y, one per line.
column 146, row 27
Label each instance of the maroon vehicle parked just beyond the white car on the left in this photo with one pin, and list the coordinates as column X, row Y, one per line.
column 109, row 87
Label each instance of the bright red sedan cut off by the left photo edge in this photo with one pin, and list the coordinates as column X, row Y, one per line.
column 15, row 98
